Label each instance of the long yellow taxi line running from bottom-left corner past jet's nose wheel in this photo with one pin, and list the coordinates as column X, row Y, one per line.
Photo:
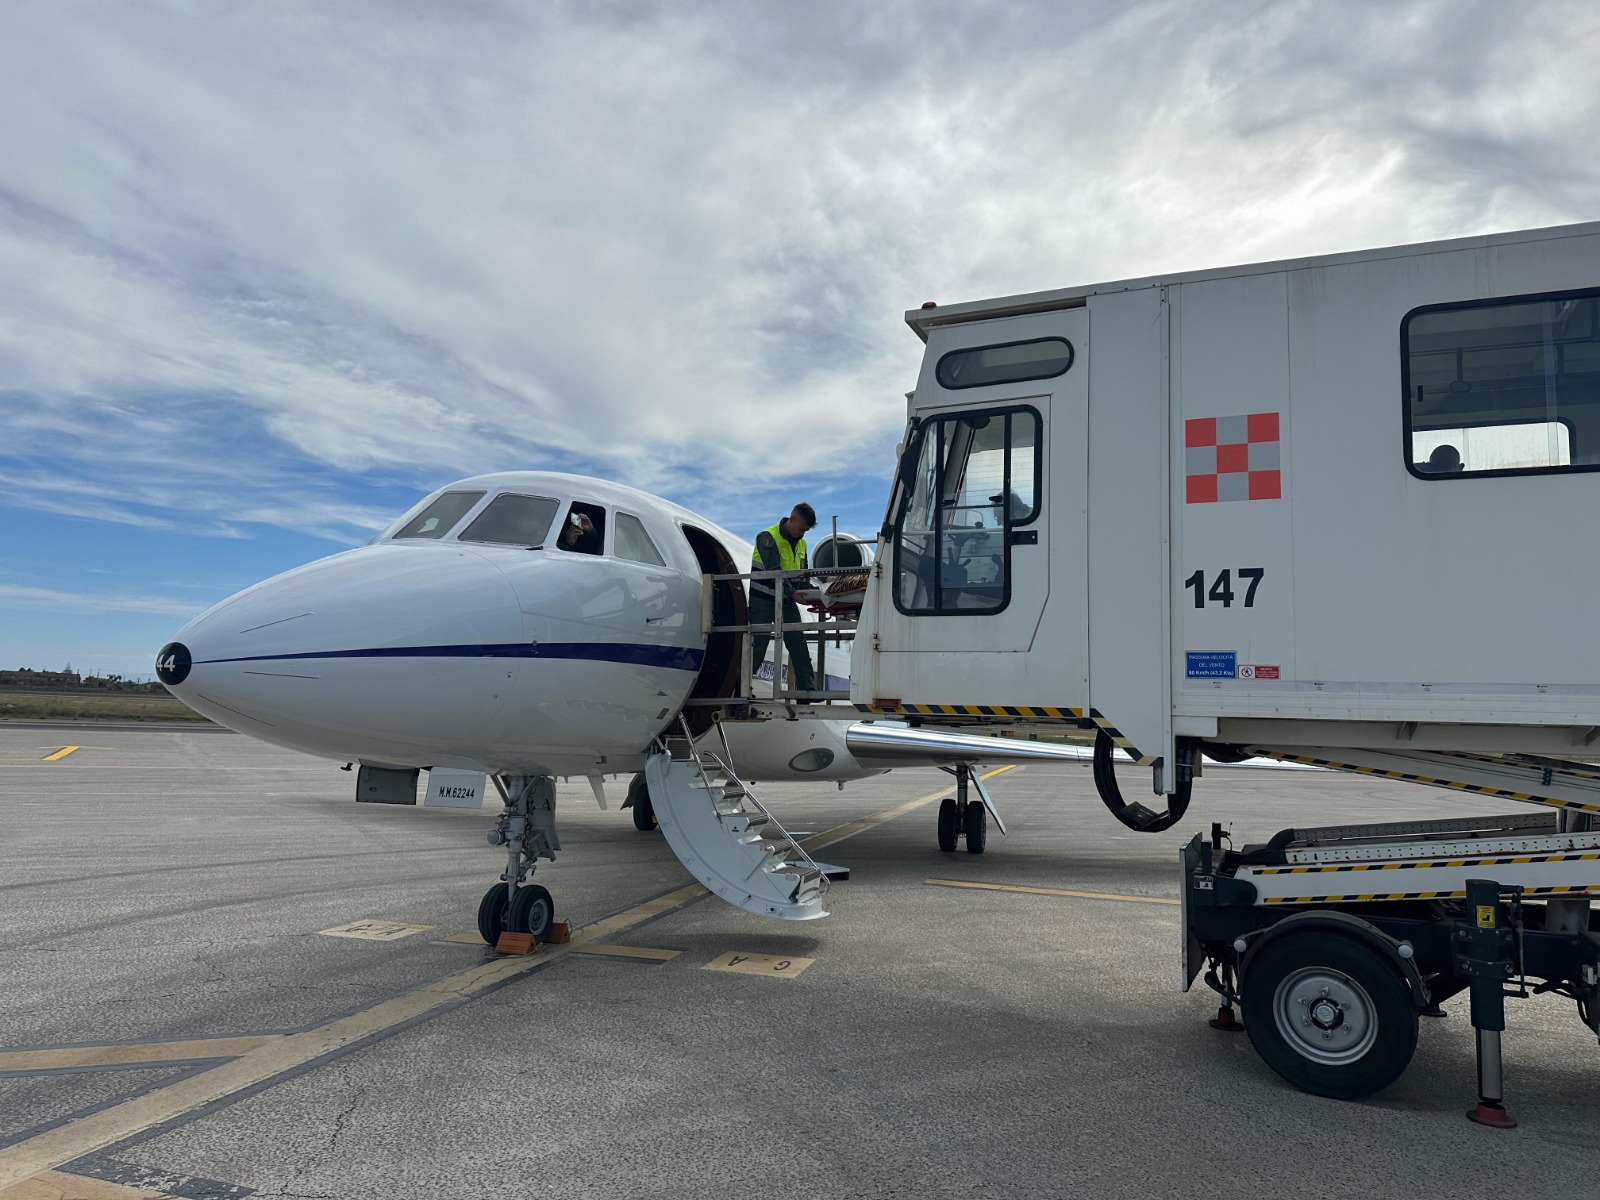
column 28, row 1161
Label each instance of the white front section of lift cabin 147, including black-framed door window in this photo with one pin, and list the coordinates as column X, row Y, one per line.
column 988, row 527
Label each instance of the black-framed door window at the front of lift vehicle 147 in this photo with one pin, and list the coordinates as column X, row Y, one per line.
column 970, row 481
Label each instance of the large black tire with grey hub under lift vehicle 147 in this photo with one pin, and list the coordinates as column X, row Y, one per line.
column 1330, row 1015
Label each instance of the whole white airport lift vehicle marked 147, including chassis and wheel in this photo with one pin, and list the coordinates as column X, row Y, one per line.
column 1332, row 511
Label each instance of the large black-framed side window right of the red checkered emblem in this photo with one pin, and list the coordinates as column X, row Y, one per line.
column 1503, row 388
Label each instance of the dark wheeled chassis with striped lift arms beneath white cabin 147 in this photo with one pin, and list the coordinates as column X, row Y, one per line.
column 1334, row 942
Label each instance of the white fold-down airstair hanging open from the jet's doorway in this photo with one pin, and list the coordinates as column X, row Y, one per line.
column 726, row 838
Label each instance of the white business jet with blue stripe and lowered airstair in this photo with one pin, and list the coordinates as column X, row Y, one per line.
column 530, row 626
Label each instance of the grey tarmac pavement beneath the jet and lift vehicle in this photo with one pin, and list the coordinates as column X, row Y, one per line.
column 175, row 1018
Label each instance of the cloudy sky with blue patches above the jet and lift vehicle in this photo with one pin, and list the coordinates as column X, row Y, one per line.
column 273, row 271
